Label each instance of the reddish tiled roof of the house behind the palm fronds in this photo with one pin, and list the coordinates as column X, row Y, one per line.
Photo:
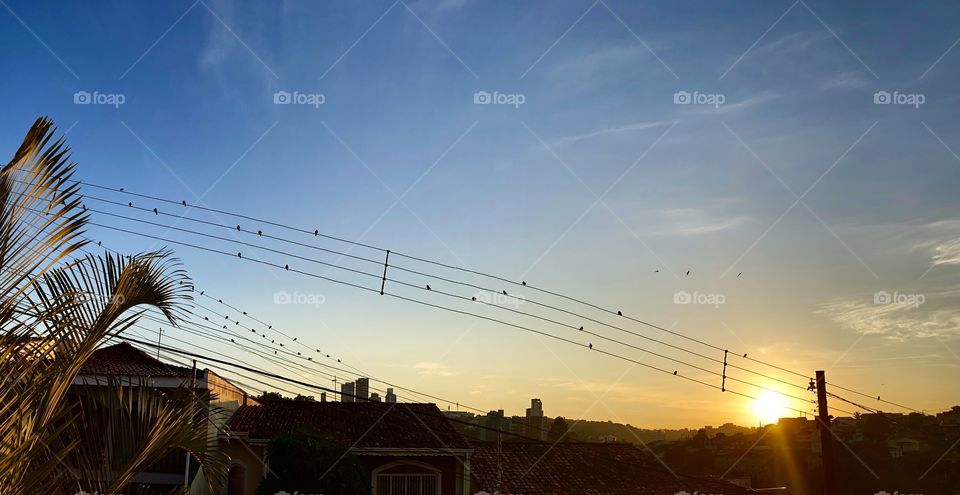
column 125, row 360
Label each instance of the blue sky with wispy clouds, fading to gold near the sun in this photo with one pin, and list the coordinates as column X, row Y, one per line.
column 799, row 159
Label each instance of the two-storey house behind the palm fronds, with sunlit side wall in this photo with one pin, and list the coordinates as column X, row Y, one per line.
column 124, row 364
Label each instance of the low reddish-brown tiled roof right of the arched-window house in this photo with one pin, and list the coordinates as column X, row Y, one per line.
column 581, row 468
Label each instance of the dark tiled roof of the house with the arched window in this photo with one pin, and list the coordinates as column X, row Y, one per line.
column 357, row 424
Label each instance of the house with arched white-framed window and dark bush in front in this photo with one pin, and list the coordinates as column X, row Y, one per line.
column 405, row 449
